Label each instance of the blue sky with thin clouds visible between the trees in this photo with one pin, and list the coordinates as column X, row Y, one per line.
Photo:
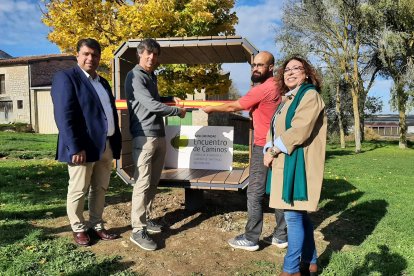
column 22, row 34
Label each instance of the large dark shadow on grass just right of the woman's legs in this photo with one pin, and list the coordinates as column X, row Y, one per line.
column 350, row 221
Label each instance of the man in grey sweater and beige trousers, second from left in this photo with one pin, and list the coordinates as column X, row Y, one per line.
column 146, row 112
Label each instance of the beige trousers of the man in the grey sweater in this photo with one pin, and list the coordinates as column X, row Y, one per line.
column 149, row 155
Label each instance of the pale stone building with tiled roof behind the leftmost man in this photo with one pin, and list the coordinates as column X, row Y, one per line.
column 25, row 89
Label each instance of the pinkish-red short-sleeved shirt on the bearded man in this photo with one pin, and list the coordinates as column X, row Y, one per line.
column 262, row 101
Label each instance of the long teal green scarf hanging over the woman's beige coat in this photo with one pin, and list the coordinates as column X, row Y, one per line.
column 294, row 173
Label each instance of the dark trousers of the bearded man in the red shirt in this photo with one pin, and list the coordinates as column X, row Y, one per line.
column 255, row 195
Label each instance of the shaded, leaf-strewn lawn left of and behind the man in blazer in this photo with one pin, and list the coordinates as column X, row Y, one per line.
column 33, row 187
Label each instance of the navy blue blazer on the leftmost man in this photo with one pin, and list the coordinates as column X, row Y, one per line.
column 80, row 117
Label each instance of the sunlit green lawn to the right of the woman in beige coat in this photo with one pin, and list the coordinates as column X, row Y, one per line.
column 367, row 211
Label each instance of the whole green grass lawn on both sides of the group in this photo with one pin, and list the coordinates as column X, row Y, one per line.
column 366, row 212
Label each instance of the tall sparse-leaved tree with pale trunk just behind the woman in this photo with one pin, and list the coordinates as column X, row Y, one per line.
column 334, row 31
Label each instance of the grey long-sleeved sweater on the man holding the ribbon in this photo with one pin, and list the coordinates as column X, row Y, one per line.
column 146, row 111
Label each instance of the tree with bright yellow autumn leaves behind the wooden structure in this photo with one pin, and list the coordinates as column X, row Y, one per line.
column 112, row 22
